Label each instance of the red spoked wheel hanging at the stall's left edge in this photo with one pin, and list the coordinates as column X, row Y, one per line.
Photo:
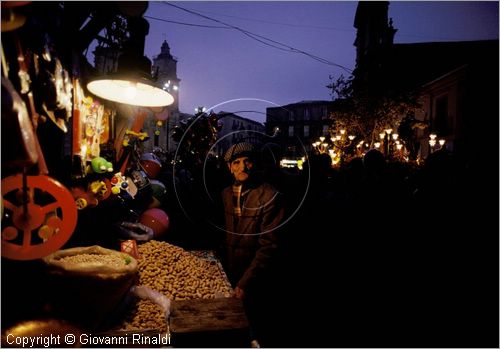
column 50, row 220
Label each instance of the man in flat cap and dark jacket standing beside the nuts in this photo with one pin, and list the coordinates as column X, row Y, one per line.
column 253, row 212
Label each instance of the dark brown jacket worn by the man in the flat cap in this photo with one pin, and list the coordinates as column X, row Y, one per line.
column 251, row 242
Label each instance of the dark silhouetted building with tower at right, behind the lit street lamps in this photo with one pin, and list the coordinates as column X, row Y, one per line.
column 457, row 82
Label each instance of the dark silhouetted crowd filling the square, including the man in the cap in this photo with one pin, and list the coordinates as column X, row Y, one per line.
column 388, row 252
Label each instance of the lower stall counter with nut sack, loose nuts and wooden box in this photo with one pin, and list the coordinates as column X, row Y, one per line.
column 168, row 296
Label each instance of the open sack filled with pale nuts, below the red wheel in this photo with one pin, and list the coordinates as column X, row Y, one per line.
column 87, row 283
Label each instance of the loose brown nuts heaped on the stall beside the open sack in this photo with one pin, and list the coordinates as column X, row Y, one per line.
column 177, row 274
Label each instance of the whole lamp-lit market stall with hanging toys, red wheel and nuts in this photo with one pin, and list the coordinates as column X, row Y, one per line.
column 83, row 203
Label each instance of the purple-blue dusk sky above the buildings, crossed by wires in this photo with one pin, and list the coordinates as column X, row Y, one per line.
column 218, row 65
